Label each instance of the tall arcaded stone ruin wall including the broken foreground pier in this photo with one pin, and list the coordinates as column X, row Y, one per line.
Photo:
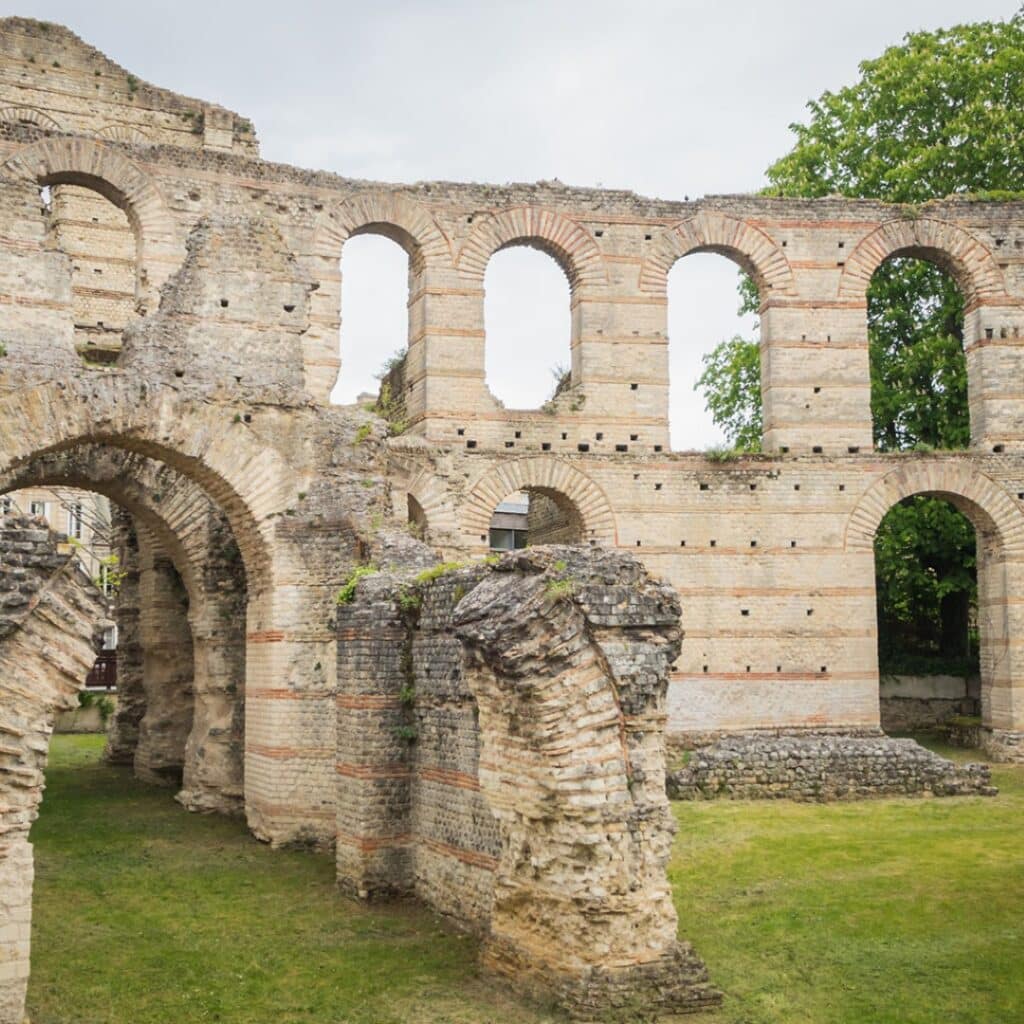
column 212, row 429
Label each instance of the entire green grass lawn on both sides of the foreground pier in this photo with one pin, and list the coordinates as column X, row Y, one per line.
column 895, row 911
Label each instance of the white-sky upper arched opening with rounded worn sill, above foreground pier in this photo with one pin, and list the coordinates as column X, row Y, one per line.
column 528, row 322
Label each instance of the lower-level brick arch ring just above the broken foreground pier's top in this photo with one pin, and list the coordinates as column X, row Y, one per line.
column 550, row 476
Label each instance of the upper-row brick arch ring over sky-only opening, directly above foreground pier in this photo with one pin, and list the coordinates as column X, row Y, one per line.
column 569, row 243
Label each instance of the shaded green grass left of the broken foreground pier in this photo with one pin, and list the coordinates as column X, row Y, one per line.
column 147, row 915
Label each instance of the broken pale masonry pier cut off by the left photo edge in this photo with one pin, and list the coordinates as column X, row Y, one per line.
column 51, row 616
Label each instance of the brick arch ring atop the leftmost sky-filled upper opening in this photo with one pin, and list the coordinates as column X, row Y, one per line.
column 396, row 217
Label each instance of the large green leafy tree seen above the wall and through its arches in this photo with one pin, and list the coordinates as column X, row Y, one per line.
column 941, row 115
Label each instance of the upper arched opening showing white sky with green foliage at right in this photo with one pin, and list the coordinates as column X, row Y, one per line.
column 714, row 358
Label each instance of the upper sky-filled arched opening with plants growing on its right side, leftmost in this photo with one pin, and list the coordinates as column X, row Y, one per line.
column 376, row 284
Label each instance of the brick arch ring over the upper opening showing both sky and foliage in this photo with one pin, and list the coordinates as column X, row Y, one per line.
column 746, row 245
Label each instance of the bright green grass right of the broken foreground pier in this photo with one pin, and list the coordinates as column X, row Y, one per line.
column 890, row 912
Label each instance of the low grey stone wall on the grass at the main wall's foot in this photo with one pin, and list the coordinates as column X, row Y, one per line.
column 824, row 769
